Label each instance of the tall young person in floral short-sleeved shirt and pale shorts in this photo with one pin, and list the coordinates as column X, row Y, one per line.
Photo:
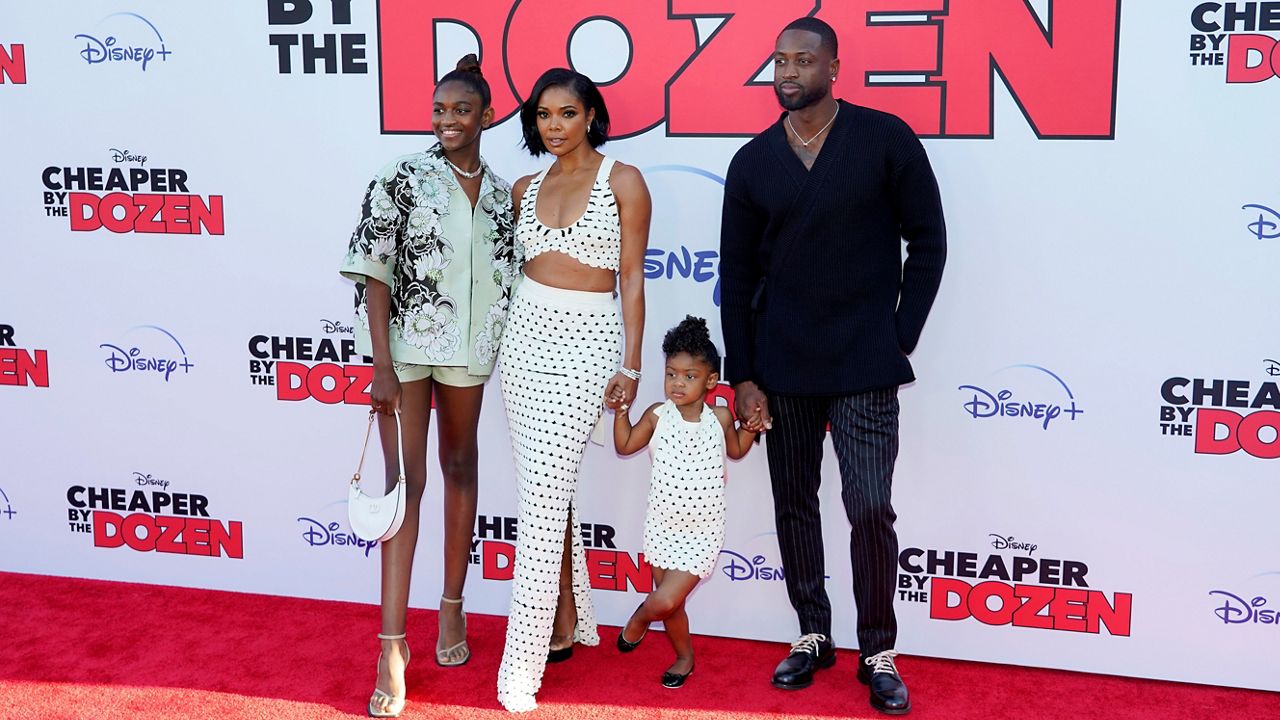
column 435, row 261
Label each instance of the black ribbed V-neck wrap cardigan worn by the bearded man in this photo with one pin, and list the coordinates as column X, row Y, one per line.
column 830, row 308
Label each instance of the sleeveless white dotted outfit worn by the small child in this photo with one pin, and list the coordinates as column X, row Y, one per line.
column 684, row 528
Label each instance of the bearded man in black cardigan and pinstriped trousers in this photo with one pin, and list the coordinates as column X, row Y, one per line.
column 820, row 315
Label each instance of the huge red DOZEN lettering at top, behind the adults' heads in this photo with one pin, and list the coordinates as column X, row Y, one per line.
column 1063, row 72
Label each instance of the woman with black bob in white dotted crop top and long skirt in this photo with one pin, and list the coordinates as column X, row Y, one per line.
column 583, row 226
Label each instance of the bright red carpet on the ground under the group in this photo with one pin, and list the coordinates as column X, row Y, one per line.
column 89, row 649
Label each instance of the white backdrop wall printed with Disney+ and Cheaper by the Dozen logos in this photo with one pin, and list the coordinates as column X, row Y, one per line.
column 1090, row 473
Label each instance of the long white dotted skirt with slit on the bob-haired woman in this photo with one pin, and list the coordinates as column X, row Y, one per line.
column 559, row 352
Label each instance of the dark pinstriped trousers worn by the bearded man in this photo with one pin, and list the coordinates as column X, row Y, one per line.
column 865, row 434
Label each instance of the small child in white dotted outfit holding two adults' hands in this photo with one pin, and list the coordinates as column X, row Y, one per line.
column 684, row 527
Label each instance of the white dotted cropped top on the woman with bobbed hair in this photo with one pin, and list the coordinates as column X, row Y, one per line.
column 595, row 240
